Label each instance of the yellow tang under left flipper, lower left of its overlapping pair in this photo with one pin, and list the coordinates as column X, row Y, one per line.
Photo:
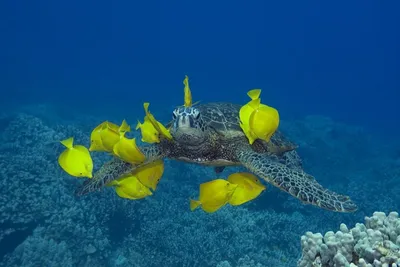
column 128, row 186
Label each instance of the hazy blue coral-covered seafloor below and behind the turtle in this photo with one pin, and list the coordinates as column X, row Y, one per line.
column 43, row 224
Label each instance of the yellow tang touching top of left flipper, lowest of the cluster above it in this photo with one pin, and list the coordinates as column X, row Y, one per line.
column 127, row 150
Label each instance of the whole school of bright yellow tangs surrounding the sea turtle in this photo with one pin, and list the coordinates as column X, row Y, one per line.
column 257, row 120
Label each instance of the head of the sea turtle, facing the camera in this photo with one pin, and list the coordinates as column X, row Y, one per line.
column 187, row 126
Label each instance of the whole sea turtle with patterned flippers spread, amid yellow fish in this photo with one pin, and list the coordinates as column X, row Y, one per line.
column 209, row 134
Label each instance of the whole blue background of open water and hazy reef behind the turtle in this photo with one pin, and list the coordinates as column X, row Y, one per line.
column 330, row 68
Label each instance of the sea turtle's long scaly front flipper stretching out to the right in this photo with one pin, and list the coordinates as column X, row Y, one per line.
column 295, row 182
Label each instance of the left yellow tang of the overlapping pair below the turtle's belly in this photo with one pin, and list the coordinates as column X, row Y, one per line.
column 213, row 195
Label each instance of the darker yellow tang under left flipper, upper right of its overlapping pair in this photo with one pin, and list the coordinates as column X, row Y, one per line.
column 150, row 174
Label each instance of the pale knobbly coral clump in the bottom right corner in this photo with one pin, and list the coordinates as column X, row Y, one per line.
column 375, row 243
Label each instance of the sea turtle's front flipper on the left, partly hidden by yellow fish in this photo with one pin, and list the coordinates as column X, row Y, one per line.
column 115, row 168
